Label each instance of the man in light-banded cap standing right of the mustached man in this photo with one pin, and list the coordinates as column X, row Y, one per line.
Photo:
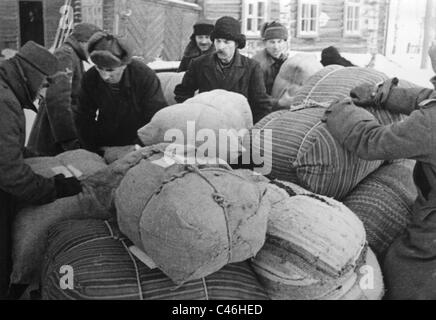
column 275, row 36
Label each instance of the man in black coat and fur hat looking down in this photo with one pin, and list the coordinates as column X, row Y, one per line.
column 118, row 96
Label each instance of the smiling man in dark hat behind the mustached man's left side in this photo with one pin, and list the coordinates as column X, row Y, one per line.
column 200, row 44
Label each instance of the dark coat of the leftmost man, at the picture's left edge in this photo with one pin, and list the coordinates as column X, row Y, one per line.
column 16, row 178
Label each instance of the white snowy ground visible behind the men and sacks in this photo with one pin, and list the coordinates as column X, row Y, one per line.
column 404, row 67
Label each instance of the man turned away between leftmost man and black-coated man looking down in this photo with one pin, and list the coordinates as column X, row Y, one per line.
column 54, row 130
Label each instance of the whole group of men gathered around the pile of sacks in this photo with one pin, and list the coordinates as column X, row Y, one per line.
column 106, row 105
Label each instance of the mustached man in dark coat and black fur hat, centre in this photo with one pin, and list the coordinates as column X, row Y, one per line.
column 227, row 69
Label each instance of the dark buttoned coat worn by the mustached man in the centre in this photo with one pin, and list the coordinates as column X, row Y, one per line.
column 244, row 77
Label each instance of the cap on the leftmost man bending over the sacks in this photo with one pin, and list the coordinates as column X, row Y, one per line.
column 38, row 58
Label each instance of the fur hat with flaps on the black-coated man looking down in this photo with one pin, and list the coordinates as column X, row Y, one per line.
column 109, row 51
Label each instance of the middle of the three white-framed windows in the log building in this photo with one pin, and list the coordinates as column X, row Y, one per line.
column 308, row 18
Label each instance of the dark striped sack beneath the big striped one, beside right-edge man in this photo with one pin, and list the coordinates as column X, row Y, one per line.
column 383, row 201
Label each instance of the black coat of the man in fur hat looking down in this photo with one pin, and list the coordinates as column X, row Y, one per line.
column 105, row 118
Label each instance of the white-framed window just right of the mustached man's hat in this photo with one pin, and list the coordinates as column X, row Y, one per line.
column 254, row 15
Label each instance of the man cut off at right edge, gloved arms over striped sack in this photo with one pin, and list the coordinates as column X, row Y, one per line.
column 410, row 264
